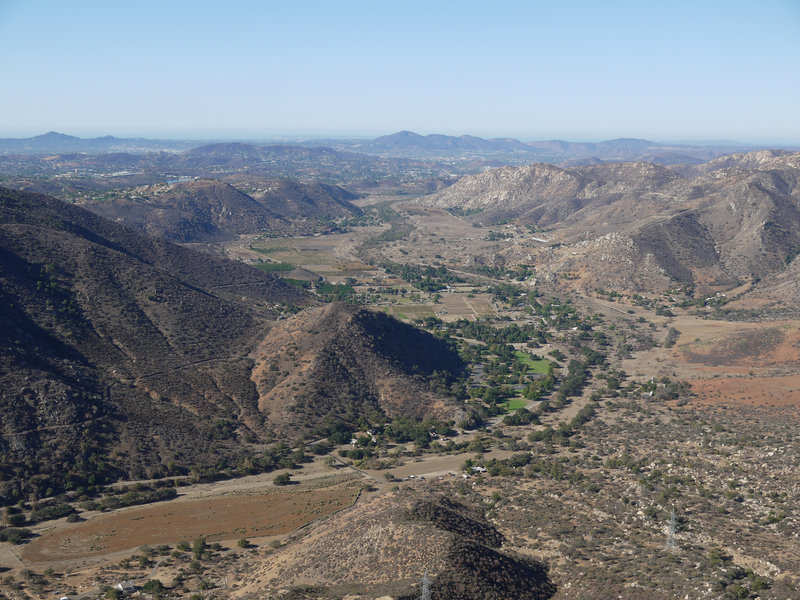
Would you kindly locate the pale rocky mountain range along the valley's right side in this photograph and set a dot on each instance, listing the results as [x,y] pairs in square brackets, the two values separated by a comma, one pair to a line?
[643,227]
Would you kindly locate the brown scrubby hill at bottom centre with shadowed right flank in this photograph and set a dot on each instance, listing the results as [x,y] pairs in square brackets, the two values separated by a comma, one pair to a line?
[384,546]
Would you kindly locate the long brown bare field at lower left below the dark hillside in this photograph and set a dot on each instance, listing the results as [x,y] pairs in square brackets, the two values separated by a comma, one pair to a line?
[273,512]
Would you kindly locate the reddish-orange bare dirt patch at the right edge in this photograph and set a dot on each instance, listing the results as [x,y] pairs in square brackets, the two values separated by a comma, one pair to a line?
[750,391]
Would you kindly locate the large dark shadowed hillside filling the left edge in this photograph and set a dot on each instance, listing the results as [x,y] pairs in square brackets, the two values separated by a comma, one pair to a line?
[113,339]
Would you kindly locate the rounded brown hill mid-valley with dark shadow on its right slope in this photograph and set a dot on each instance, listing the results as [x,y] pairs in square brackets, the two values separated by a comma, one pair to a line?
[340,360]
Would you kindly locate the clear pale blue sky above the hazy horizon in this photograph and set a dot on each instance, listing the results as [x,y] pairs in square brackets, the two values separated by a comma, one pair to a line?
[569,69]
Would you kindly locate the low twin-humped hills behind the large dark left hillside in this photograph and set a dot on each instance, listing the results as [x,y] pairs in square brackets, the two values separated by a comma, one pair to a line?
[205,210]
